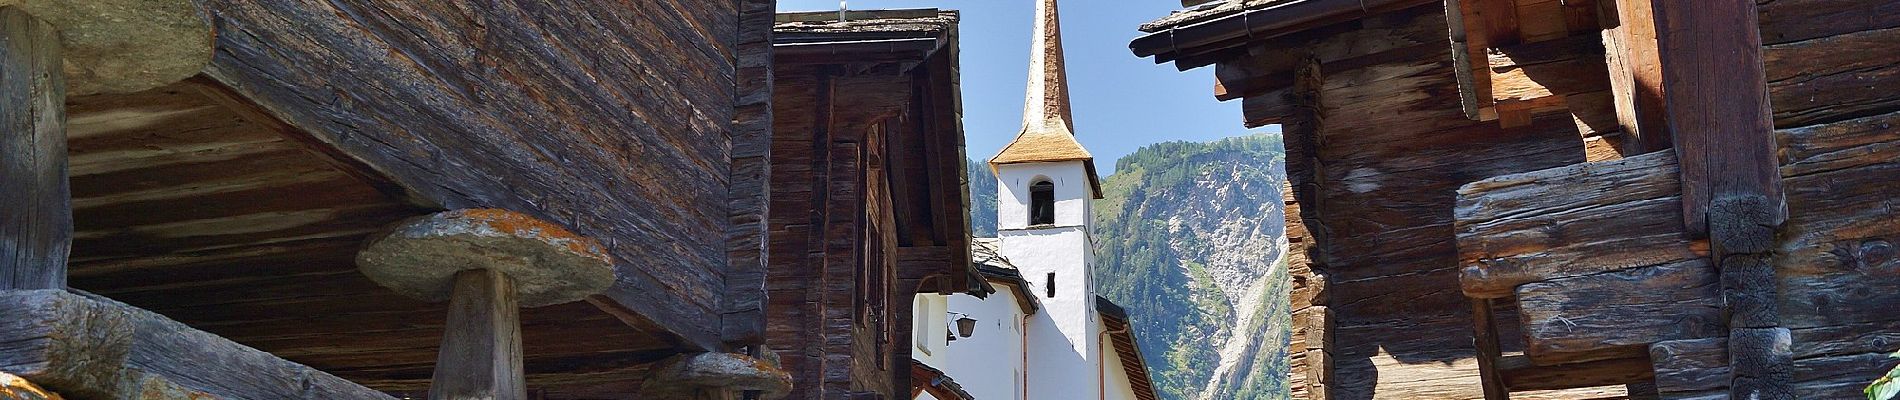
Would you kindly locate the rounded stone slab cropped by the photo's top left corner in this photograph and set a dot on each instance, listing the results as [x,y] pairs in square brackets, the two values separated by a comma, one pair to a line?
[124,46]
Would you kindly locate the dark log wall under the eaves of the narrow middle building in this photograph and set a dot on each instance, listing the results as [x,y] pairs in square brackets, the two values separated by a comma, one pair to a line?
[833,240]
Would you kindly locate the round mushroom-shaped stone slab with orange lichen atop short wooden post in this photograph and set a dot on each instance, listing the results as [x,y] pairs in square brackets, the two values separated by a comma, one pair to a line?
[421,257]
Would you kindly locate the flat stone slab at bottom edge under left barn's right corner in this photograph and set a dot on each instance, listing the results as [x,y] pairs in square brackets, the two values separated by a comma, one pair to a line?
[681,378]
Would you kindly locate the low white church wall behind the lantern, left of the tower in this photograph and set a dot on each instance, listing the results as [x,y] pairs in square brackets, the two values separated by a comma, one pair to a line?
[991,361]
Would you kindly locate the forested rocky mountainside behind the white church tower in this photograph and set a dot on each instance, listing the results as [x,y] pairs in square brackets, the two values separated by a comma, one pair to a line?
[1188,240]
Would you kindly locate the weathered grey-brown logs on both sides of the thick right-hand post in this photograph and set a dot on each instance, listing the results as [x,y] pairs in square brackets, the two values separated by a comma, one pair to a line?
[1603,268]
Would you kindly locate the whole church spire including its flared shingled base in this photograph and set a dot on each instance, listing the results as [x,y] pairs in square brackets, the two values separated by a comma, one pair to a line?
[1048,124]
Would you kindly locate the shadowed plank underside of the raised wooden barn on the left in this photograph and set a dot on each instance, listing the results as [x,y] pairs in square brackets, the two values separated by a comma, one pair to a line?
[193,204]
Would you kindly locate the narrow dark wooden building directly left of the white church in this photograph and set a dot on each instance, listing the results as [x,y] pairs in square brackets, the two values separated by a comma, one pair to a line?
[867,155]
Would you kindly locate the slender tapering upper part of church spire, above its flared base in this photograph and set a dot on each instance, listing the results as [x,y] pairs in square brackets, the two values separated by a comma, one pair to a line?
[1048,107]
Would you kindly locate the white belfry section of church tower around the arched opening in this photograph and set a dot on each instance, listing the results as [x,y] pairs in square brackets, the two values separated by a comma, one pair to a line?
[1014,192]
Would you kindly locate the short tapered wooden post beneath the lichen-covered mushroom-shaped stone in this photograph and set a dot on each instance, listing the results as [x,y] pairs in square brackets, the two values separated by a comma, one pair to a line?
[482,342]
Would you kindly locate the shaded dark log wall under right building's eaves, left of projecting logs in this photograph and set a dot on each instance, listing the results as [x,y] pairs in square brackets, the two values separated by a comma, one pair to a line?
[1377,177]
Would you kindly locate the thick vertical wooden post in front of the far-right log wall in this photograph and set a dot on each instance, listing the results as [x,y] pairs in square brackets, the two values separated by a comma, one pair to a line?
[1722,124]
